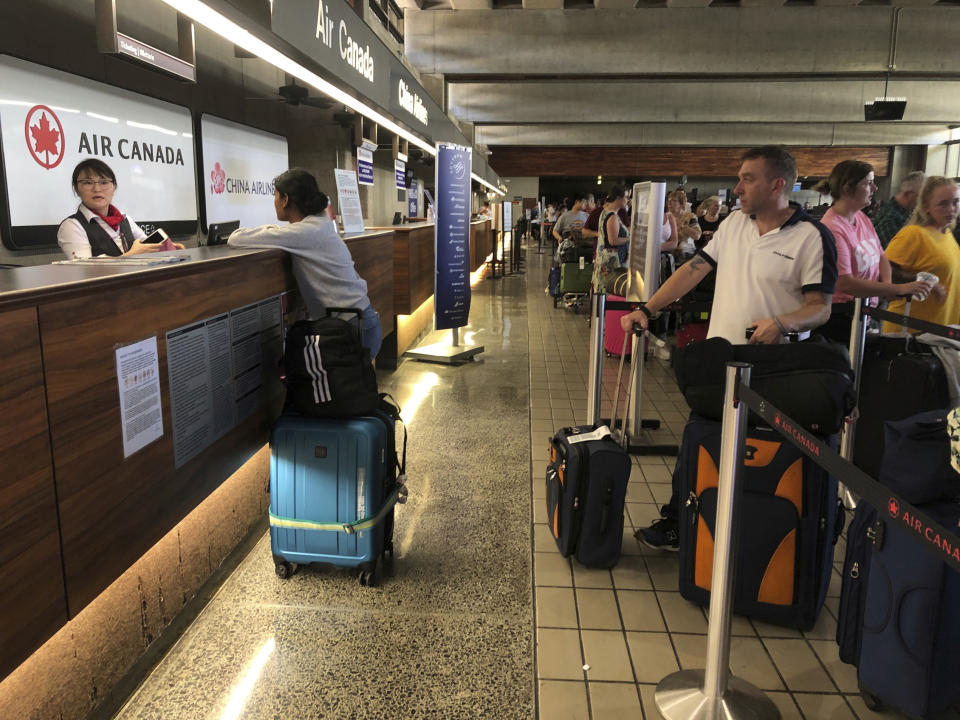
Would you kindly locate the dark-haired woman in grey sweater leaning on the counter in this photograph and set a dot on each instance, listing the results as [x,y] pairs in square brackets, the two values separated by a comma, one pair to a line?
[322,264]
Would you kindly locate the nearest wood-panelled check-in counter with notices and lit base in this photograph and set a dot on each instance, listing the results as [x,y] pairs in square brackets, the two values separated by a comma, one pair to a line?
[130,395]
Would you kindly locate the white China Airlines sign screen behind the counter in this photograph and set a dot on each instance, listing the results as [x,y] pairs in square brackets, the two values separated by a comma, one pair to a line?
[239,164]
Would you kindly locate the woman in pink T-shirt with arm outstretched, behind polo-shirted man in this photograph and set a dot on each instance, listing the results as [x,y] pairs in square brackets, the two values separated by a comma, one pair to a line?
[862,269]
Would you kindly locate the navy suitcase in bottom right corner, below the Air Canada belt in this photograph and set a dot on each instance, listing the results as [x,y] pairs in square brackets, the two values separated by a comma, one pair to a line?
[910,647]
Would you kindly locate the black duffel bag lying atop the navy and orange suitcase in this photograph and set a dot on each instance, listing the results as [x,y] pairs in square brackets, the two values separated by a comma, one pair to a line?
[809,381]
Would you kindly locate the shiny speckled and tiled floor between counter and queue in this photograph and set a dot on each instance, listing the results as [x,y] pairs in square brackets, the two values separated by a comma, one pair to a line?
[479,616]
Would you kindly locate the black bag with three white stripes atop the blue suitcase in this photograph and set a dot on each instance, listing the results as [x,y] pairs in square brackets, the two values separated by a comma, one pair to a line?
[328,370]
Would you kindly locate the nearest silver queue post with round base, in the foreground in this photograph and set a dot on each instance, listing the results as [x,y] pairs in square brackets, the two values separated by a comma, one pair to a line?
[714,693]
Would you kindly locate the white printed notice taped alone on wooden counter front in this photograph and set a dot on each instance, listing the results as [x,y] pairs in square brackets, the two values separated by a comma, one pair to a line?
[138,375]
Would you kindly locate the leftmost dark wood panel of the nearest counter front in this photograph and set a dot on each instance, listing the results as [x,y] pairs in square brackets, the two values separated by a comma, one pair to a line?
[32,603]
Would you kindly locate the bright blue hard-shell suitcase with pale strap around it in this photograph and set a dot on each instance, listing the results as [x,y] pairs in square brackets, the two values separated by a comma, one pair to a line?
[333,487]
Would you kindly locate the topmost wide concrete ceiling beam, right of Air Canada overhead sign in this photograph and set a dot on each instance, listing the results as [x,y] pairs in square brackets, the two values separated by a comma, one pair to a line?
[802,40]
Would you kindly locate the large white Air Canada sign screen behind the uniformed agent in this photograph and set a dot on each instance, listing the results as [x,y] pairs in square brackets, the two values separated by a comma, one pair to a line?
[50,120]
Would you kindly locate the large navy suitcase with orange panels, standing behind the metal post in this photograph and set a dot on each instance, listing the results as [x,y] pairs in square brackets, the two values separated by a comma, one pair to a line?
[788,525]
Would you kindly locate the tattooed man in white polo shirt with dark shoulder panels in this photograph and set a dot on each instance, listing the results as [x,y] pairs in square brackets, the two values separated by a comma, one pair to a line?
[776,271]
